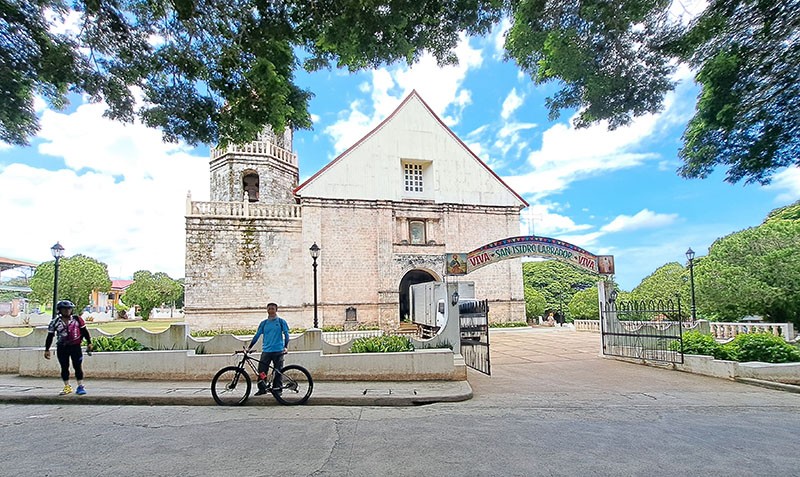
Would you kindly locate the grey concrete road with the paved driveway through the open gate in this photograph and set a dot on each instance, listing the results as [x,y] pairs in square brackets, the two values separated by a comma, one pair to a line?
[552,407]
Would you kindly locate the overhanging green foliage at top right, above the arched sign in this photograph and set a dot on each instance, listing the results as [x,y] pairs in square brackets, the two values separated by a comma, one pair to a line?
[614,60]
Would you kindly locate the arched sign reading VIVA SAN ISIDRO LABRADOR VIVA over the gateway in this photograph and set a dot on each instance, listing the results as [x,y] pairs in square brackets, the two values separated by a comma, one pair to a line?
[532,246]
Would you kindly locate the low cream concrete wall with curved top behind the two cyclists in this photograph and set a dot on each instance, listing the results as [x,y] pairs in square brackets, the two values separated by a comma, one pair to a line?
[178,356]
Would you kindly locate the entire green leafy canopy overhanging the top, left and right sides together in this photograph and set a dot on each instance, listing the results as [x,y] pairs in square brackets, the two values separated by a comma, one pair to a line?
[214,72]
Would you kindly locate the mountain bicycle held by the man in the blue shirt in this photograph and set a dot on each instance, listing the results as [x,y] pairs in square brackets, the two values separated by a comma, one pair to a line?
[231,385]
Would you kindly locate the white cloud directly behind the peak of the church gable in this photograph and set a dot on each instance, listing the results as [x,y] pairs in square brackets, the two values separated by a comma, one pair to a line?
[440,87]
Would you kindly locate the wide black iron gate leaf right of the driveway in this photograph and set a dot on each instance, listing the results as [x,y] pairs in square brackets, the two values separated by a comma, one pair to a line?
[651,329]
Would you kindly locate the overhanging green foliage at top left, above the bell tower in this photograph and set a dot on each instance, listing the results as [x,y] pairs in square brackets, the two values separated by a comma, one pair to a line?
[210,71]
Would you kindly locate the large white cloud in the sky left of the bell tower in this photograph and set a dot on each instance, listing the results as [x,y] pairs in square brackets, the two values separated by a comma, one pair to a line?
[120,199]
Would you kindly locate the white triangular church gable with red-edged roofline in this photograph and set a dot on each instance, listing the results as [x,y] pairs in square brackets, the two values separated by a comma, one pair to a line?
[372,168]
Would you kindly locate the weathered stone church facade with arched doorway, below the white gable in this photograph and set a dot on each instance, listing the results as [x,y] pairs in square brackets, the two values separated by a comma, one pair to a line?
[366,252]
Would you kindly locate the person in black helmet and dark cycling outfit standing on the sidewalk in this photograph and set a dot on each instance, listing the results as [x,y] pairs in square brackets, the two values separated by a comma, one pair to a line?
[70,330]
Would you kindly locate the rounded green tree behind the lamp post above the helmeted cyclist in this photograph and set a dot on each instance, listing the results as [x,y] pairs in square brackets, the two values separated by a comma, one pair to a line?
[78,276]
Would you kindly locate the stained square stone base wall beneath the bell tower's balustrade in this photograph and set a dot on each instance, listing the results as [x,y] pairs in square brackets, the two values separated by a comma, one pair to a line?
[235,266]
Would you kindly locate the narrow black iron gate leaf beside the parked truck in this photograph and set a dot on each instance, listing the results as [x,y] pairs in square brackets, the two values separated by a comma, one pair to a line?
[473,317]
